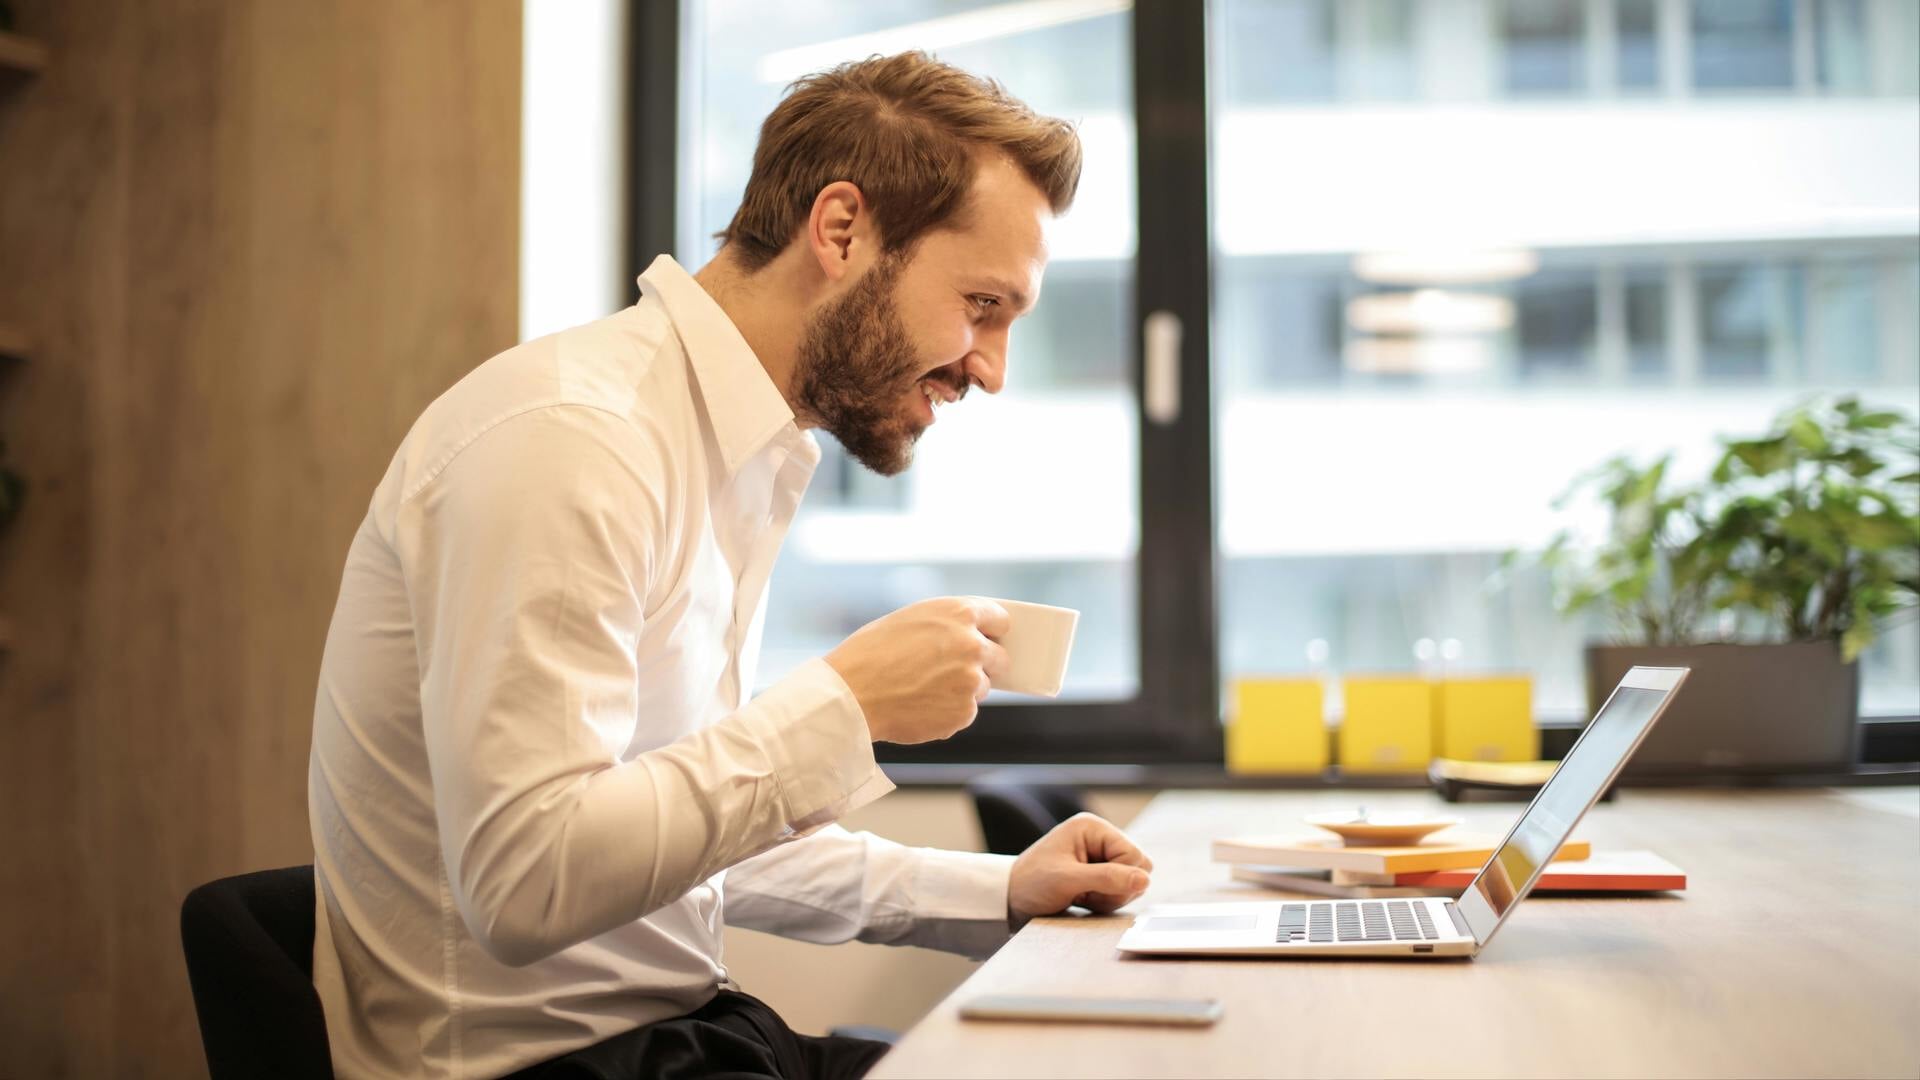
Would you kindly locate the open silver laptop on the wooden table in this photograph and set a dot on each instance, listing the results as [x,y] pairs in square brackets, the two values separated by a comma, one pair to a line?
[1428,927]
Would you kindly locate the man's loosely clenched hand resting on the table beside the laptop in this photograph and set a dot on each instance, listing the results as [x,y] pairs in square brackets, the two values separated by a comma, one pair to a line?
[1084,862]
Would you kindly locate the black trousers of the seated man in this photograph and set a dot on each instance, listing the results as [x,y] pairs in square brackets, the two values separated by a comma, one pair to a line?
[734,1037]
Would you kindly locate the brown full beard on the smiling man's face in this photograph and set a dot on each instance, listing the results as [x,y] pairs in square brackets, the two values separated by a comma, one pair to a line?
[855,368]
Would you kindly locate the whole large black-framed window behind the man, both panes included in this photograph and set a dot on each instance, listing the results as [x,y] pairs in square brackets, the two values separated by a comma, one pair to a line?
[1431,260]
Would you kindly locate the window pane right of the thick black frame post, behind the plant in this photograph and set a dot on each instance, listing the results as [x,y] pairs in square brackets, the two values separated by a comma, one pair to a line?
[1431,316]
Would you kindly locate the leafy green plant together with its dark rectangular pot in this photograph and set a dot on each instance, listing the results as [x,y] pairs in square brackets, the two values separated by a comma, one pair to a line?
[1767,579]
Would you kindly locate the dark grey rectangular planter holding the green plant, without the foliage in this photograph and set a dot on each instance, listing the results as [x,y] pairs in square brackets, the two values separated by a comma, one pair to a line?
[1744,708]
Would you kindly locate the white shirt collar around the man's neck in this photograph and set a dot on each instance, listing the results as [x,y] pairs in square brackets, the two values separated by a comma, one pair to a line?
[746,408]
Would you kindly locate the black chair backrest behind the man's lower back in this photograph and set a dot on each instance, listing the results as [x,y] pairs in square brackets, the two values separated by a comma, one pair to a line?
[251,960]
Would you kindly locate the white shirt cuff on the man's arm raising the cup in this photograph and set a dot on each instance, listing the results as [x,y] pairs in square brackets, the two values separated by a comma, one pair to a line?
[815,733]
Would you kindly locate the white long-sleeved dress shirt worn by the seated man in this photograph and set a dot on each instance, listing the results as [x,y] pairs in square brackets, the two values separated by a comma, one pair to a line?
[539,787]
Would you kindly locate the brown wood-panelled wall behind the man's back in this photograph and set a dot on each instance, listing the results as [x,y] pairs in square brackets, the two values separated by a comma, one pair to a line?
[254,241]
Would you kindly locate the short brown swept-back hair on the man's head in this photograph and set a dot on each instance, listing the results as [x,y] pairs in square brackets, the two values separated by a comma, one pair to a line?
[905,130]
